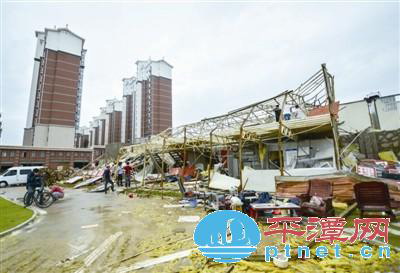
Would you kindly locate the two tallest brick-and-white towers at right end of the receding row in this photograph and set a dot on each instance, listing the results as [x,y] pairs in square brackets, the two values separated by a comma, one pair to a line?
[147,101]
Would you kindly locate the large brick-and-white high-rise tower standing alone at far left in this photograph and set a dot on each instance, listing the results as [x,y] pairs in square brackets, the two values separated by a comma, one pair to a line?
[56,89]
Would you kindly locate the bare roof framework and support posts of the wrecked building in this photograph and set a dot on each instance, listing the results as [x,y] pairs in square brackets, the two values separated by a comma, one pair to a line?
[261,122]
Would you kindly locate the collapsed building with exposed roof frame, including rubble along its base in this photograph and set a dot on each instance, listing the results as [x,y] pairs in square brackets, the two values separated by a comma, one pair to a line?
[276,145]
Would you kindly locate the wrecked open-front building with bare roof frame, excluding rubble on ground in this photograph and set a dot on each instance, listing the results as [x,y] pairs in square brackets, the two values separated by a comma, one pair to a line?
[293,133]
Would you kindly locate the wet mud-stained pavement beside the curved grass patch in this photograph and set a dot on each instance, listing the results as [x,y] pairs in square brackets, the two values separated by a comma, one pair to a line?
[83,223]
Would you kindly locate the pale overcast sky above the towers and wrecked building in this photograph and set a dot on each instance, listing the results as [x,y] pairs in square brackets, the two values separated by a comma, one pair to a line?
[225,55]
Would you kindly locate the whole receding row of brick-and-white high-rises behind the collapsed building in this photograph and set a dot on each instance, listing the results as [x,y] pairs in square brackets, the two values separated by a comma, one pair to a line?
[145,108]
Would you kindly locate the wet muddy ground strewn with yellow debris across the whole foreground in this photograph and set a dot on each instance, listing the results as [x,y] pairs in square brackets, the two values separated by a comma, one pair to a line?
[94,232]
